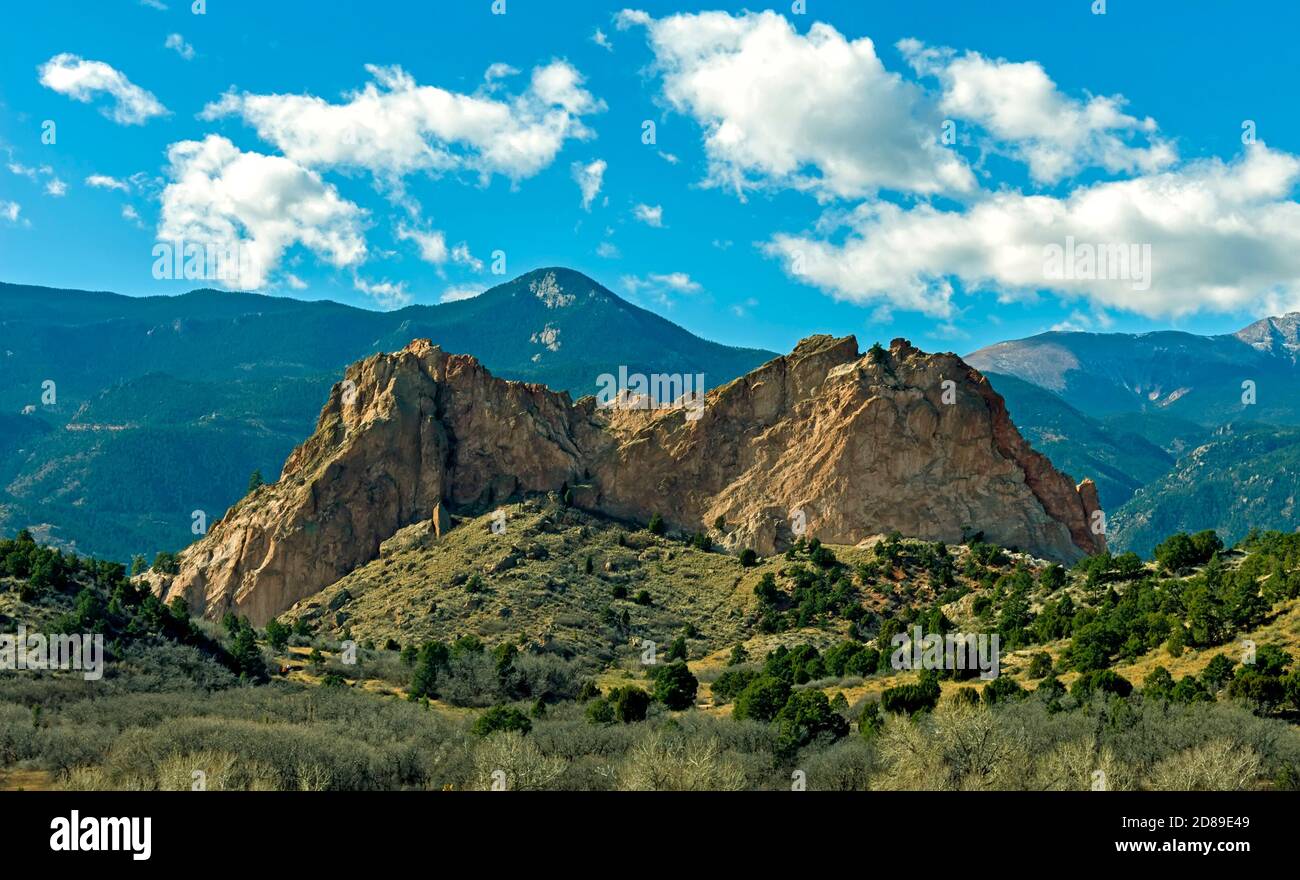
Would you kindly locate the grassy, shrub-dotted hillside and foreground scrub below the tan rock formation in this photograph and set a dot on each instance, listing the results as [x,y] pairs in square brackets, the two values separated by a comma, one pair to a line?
[762,674]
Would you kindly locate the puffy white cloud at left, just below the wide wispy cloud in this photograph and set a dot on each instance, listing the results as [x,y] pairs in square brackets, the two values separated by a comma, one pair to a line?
[266,205]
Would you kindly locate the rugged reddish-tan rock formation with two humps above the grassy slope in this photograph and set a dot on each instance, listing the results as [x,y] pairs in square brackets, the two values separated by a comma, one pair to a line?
[824,443]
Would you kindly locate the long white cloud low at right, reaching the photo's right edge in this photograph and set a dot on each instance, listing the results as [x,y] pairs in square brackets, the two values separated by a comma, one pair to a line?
[1224,237]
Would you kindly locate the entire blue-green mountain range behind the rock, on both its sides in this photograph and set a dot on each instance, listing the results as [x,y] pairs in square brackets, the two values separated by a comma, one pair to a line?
[123,418]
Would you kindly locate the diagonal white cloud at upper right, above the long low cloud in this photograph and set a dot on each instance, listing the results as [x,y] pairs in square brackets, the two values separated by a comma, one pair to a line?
[1021,107]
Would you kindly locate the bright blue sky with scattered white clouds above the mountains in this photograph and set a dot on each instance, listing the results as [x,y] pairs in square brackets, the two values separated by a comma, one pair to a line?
[800,181]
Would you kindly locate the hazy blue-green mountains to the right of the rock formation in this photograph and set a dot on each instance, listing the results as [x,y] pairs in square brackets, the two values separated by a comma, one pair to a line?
[1181,432]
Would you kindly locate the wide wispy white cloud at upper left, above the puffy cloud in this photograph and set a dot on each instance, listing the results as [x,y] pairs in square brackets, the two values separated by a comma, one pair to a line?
[395,127]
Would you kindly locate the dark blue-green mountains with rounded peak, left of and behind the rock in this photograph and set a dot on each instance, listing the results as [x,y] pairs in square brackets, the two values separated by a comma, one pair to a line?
[142,411]
